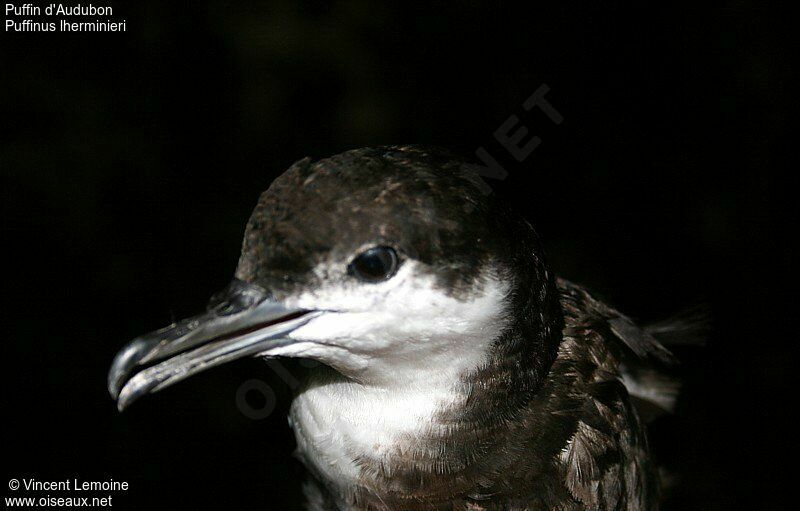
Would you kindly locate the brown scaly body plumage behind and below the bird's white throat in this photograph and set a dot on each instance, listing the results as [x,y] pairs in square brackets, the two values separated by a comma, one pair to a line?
[576,443]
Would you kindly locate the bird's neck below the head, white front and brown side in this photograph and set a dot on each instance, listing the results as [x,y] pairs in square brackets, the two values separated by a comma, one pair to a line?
[369,441]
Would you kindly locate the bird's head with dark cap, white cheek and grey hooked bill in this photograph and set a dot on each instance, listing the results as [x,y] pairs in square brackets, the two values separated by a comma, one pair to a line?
[390,265]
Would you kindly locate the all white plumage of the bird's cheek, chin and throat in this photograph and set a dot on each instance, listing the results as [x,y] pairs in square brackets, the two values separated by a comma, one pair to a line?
[401,350]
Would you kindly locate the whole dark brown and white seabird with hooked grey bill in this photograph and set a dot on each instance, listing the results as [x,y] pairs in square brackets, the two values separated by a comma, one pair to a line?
[457,371]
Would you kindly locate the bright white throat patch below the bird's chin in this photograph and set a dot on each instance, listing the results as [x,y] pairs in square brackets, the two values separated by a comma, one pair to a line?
[351,435]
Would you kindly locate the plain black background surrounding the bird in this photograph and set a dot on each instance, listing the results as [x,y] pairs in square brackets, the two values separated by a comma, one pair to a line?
[130,163]
